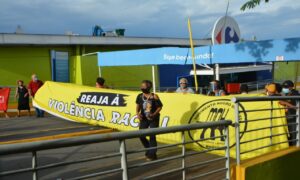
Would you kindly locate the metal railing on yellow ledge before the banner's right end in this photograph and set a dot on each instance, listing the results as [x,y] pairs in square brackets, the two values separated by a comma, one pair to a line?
[293,127]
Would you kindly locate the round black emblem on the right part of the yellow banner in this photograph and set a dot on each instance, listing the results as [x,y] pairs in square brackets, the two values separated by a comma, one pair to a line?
[212,111]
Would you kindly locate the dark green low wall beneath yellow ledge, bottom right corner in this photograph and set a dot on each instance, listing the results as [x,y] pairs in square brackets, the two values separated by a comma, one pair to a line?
[284,167]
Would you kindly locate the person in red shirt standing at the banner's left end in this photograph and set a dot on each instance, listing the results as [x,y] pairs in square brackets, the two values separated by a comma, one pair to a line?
[34,85]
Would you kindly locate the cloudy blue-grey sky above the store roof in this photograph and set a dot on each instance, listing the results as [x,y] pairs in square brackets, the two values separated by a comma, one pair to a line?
[150,18]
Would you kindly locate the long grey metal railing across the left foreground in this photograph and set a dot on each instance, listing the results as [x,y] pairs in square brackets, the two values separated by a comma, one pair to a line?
[34,147]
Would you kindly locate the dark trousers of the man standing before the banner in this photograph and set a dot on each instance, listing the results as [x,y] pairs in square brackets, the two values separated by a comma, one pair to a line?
[144,124]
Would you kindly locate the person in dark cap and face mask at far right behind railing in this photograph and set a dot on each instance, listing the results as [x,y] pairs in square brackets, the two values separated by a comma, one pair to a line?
[288,90]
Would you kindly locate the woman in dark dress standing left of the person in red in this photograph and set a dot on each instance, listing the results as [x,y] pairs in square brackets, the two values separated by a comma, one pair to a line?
[23,97]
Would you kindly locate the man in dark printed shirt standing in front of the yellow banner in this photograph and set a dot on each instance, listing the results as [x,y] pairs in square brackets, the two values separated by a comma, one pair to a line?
[148,106]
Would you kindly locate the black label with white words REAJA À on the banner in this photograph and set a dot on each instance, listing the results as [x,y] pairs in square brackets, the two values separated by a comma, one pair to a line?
[102,99]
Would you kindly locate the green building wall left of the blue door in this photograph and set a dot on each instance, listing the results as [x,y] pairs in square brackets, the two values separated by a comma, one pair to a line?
[19,62]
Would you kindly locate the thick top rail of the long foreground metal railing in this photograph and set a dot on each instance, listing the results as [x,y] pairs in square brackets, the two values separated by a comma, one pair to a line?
[73,141]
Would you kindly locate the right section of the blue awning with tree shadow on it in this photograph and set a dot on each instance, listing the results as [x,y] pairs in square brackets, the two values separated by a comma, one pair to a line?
[259,51]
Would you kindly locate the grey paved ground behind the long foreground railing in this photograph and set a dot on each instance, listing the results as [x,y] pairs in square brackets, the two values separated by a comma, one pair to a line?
[19,128]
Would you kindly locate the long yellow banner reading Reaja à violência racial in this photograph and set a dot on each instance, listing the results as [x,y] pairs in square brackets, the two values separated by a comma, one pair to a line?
[116,109]
